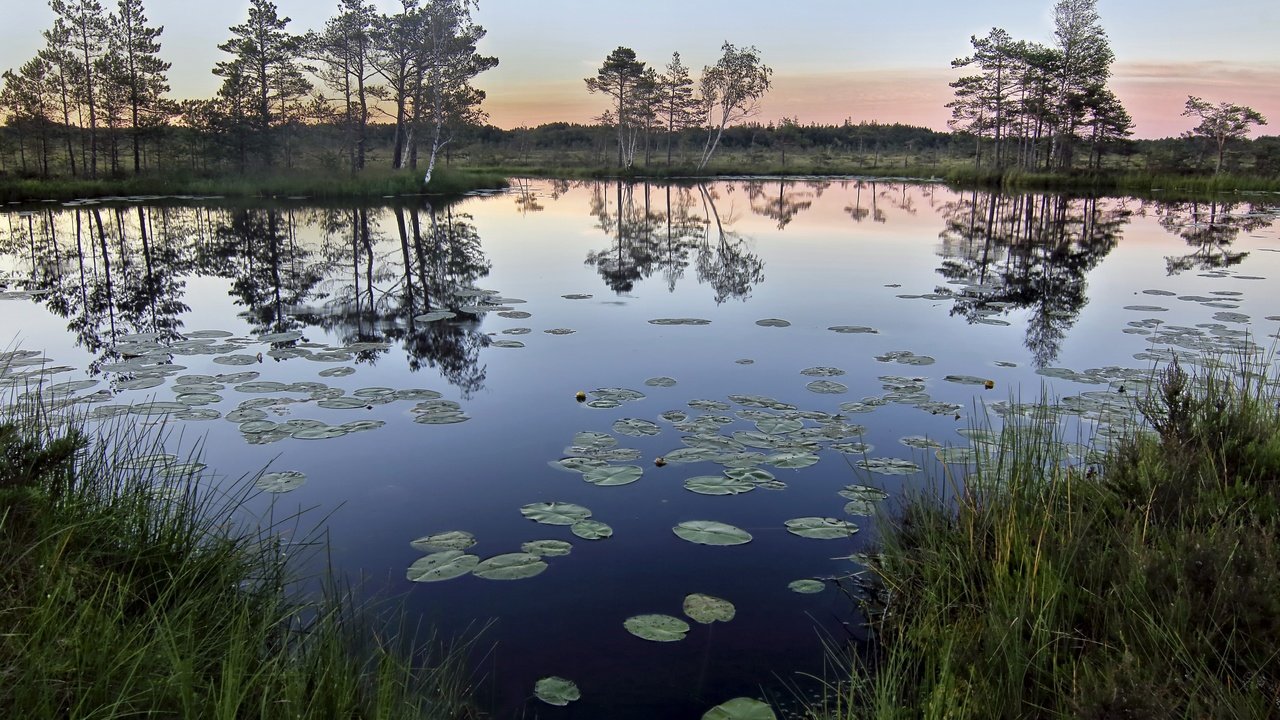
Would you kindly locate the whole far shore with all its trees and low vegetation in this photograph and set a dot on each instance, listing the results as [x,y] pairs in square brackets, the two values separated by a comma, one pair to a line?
[394,92]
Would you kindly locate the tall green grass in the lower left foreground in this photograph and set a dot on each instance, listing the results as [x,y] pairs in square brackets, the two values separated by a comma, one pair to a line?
[132,595]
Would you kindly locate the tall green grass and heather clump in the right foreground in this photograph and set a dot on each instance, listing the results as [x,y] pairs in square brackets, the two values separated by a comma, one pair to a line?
[1140,587]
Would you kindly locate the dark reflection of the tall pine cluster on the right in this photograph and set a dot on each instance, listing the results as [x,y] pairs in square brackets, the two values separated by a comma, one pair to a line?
[1026,252]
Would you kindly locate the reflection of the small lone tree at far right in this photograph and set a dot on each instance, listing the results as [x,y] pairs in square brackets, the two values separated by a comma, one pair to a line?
[1210,229]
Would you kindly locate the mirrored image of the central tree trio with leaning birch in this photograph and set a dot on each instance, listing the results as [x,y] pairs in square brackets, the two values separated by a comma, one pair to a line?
[647,236]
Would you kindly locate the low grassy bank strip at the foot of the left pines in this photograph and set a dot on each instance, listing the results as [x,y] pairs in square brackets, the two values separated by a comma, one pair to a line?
[310,185]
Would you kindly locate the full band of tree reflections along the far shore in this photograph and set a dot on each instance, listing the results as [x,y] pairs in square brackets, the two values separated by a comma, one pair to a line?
[365,275]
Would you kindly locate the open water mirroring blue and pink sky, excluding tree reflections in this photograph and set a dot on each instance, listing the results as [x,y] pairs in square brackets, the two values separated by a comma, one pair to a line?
[404,481]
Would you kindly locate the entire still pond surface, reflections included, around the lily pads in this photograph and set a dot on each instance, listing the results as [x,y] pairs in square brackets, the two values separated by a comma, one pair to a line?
[991,288]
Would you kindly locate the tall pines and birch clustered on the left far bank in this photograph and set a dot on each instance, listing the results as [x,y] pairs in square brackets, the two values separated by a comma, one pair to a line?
[95,102]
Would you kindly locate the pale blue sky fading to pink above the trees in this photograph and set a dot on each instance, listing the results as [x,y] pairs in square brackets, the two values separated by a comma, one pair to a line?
[833,60]
